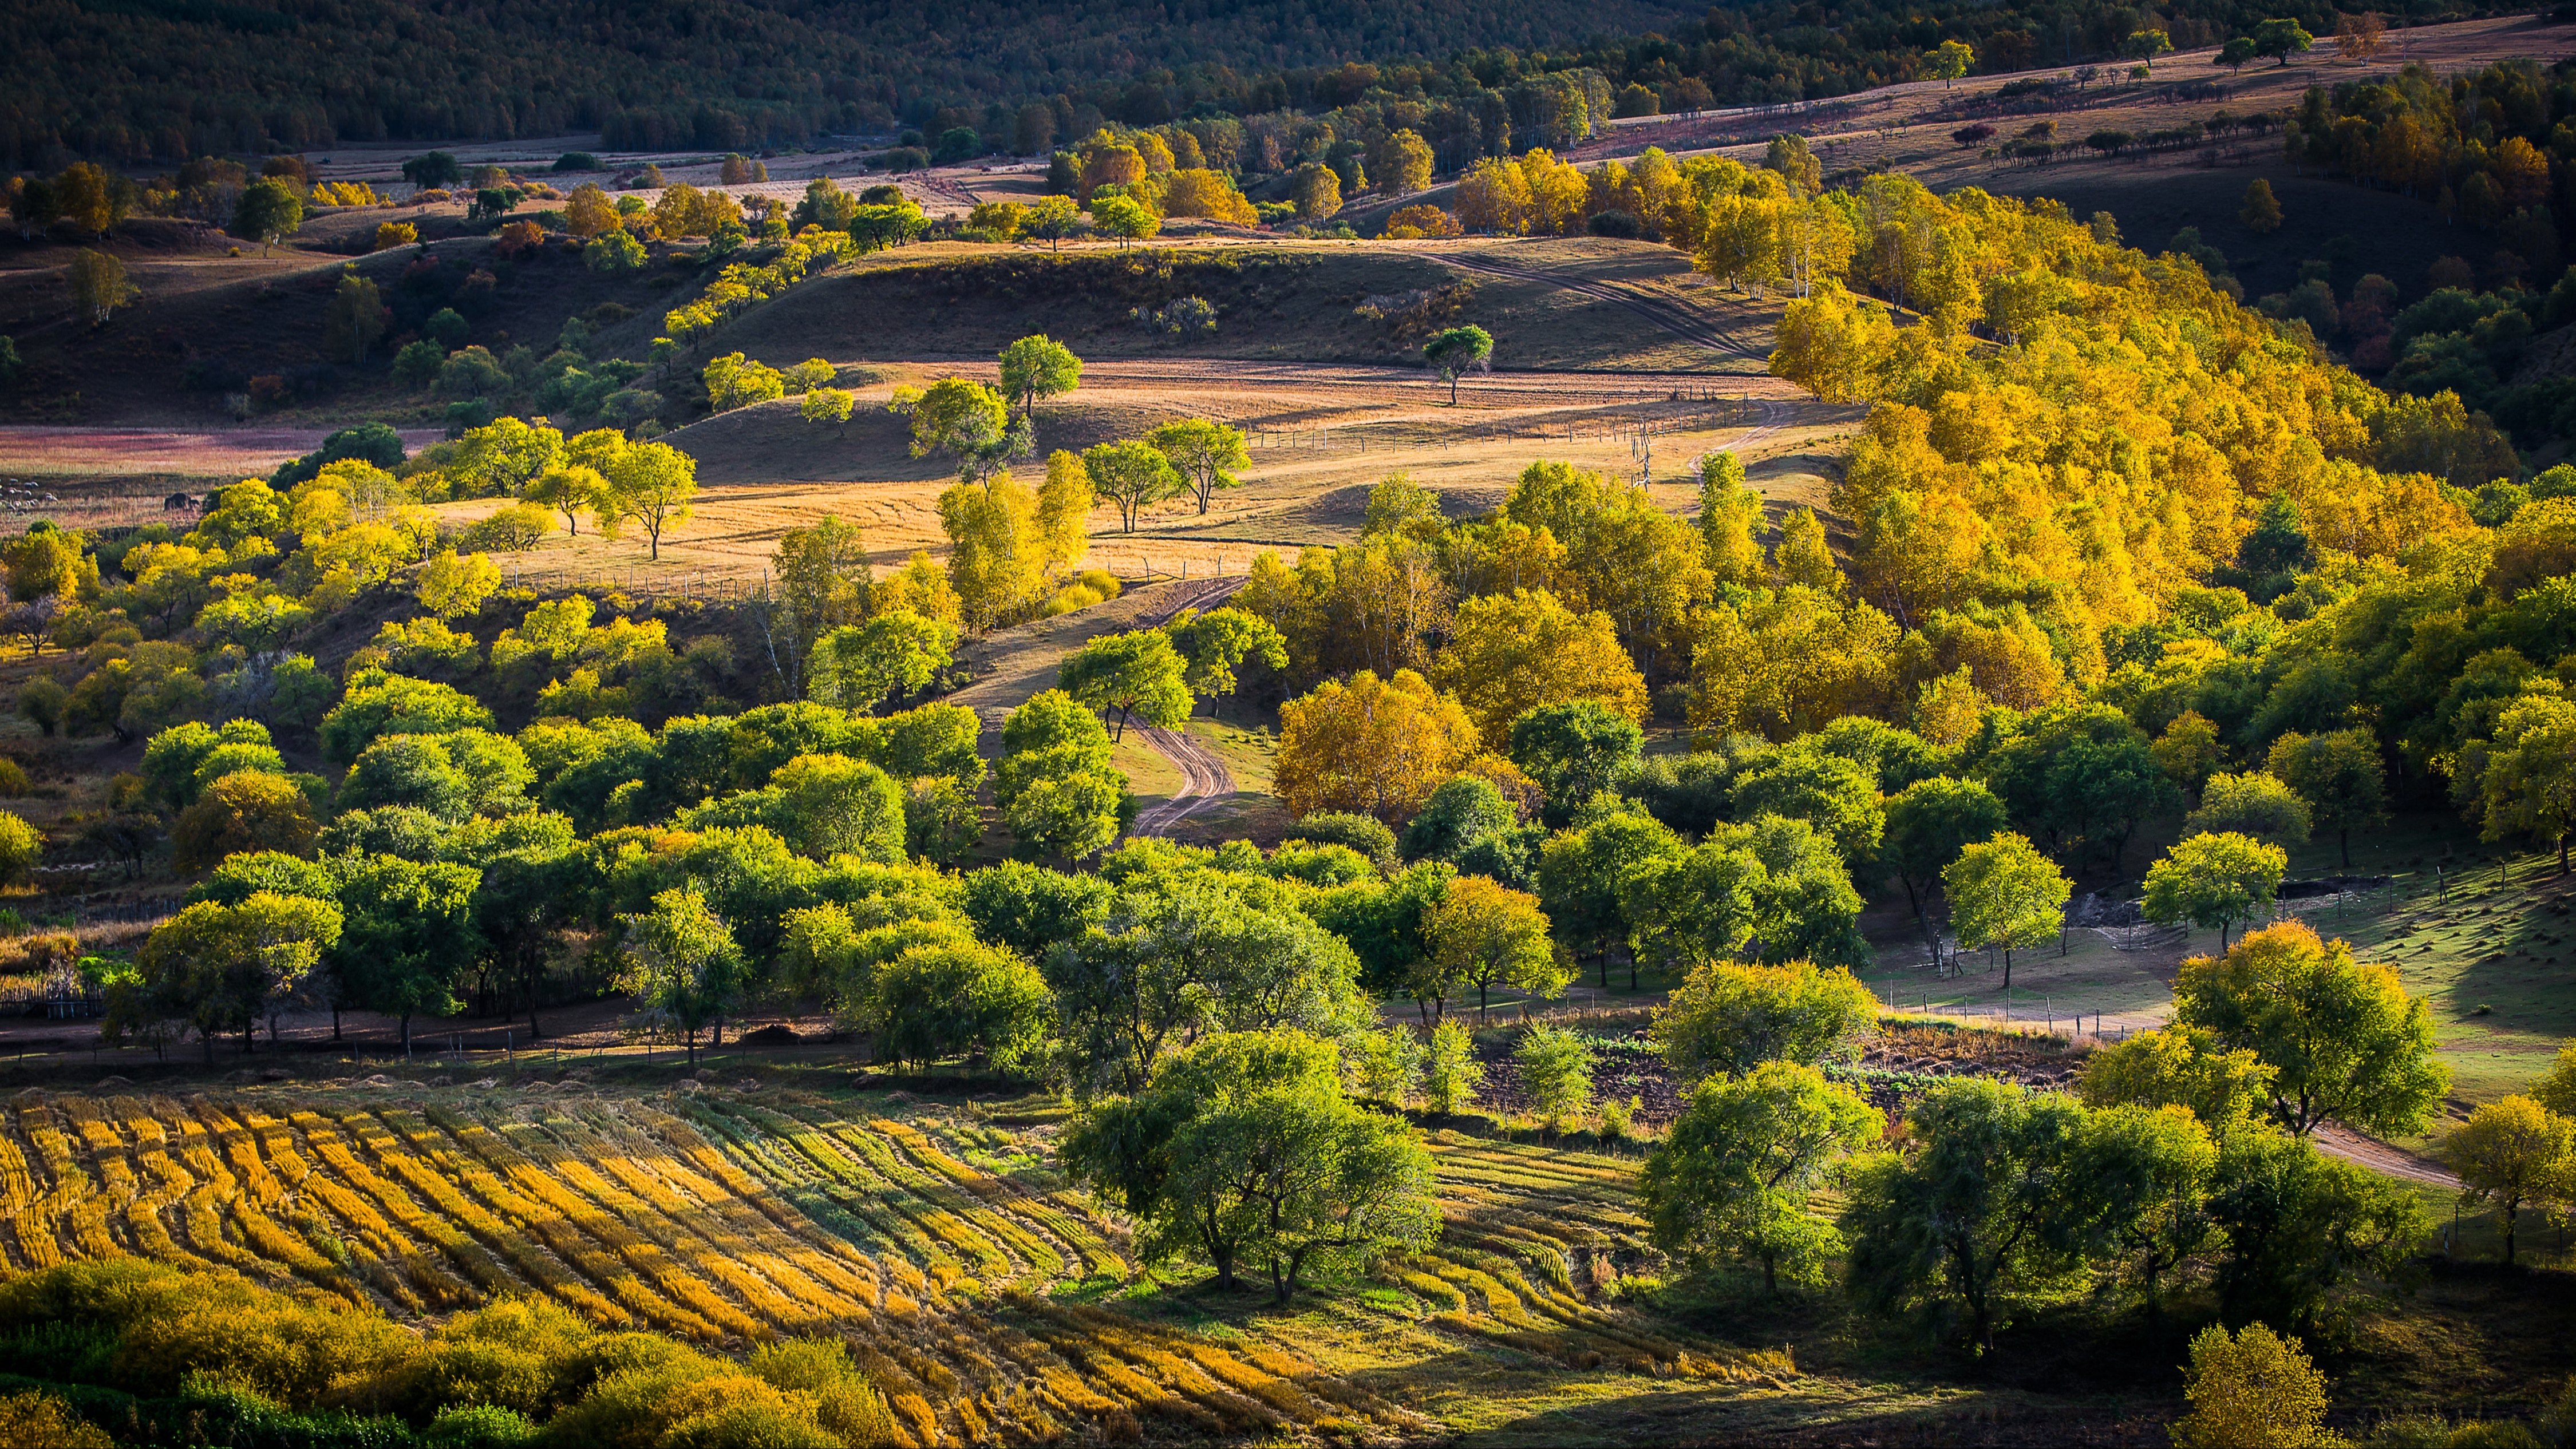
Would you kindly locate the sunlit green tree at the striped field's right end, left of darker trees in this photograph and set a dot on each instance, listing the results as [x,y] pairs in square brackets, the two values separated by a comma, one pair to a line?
[1745,1159]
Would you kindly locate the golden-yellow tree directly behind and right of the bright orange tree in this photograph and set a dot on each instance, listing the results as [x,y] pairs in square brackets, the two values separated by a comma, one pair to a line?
[1519,652]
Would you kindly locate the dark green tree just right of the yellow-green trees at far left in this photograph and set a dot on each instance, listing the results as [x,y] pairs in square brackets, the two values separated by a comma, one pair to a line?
[408,936]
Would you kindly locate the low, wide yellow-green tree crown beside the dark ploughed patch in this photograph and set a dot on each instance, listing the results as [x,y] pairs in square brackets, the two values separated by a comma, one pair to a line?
[1730,1018]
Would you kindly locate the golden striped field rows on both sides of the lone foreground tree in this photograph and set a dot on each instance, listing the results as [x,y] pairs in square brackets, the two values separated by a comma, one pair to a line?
[748,1216]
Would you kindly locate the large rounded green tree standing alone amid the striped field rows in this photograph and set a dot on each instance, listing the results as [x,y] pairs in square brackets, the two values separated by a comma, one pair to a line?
[1248,1152]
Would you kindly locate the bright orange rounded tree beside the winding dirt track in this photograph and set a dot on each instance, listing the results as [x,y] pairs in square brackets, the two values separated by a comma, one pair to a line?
[1372,745]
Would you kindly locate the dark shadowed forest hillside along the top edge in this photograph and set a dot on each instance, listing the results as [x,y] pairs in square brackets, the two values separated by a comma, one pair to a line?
[140,81]
